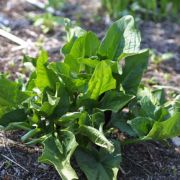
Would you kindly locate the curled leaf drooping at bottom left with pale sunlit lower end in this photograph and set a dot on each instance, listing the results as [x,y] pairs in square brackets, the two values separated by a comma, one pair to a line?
[61,161]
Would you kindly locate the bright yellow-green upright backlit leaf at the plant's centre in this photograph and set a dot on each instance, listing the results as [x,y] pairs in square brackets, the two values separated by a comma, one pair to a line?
[101,81]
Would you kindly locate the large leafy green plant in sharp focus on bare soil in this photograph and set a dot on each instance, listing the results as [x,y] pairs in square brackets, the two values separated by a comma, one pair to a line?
[75,107]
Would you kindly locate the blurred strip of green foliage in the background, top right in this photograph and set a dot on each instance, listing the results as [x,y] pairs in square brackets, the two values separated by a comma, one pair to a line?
[154,9]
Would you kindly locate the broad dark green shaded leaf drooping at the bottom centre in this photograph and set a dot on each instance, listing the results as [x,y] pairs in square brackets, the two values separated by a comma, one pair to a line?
[99,165]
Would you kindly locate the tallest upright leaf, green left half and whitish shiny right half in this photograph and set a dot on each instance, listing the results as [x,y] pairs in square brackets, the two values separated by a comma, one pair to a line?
[122,37]
